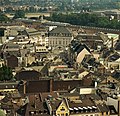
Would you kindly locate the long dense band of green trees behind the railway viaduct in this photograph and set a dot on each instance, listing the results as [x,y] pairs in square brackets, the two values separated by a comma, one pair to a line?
[85,19]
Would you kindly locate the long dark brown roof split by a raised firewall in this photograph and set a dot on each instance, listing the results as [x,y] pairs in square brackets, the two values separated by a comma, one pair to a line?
[51,85]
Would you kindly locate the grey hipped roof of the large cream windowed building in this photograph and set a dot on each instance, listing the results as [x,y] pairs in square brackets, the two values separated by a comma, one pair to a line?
[62,30]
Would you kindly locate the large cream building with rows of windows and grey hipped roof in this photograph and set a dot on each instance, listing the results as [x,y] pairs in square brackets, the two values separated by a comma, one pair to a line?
[59,37]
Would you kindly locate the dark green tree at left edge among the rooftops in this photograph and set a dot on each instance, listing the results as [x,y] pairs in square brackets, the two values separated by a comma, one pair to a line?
[5,73]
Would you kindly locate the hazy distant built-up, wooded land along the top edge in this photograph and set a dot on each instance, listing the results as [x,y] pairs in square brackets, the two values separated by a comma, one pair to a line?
[65,5]
